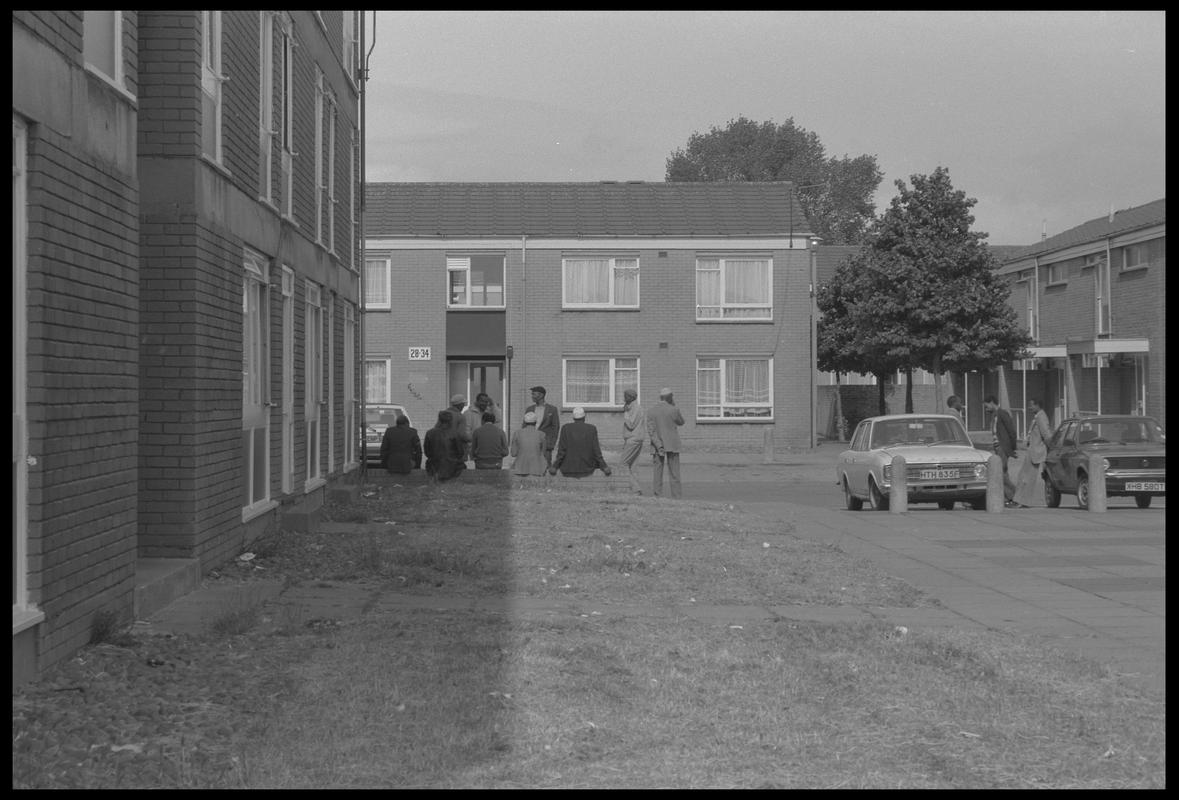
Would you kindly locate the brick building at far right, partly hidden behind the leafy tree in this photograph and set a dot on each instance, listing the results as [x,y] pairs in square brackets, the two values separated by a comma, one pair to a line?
[1095,301]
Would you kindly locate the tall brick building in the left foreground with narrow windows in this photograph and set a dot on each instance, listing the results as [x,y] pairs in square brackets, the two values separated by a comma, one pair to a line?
[186,292]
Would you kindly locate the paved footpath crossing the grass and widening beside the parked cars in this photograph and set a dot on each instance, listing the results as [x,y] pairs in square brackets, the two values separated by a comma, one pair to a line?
[1091,583]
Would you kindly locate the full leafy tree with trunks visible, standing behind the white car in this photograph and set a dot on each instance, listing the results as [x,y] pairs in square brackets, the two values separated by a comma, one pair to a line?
[924,293]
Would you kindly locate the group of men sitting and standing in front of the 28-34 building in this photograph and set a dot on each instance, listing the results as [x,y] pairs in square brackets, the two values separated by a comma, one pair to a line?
[477,435]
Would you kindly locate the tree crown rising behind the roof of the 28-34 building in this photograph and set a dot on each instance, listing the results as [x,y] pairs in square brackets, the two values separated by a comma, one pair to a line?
[837,194]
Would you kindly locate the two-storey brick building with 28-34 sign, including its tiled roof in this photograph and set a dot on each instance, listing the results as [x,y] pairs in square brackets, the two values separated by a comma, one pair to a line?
[589,289]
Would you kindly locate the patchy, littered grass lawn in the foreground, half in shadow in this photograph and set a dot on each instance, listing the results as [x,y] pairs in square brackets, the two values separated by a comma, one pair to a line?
[649,698]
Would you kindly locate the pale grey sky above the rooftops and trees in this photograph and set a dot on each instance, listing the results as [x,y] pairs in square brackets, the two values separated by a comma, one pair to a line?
[1049,120]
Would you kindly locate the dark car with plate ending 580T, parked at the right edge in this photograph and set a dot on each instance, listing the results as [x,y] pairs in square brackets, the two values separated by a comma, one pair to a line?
[1134,453]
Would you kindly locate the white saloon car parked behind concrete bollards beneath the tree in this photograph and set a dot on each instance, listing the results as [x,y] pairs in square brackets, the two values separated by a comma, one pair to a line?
[943,466]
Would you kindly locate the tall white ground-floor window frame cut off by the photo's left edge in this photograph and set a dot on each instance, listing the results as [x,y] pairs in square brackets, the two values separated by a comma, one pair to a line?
[25,613]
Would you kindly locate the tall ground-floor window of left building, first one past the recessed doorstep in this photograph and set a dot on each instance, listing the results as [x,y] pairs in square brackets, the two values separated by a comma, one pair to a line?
[255,381]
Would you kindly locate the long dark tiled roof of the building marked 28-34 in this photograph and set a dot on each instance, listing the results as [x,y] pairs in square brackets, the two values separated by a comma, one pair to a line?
[583,209]
